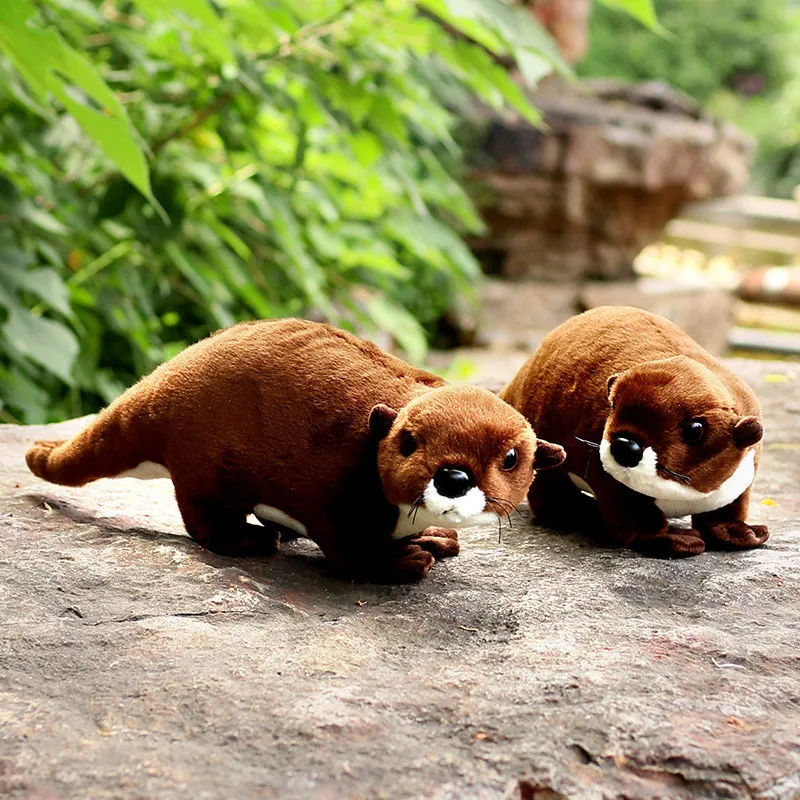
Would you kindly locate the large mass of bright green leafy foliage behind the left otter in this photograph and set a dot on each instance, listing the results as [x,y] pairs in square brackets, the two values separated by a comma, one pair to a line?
[168,167]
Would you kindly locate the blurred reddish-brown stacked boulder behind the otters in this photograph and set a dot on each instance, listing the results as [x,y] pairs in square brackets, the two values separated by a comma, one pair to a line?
[583,197]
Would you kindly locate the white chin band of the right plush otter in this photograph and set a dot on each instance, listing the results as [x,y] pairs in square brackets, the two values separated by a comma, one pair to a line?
[673,498]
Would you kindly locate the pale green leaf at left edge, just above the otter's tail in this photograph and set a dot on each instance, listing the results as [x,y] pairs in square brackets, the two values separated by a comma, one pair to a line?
[45,341]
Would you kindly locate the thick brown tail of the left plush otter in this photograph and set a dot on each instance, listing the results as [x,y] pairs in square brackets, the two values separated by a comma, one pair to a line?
[117,440]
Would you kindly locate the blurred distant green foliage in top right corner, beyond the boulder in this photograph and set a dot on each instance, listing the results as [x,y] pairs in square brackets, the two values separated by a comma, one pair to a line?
[739,59]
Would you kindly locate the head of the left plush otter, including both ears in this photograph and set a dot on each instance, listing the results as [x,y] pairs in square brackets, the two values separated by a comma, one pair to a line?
[456,455]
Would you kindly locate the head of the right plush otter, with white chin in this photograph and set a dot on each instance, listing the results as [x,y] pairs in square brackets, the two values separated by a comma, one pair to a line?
[673,431]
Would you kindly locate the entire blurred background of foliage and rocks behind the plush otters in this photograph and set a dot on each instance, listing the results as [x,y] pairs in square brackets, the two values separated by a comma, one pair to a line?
[451,178]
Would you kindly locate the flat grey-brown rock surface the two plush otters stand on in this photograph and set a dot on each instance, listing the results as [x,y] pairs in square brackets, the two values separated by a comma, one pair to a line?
[135,665]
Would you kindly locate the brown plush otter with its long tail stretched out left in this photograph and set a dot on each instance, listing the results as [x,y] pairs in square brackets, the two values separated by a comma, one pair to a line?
[315,431]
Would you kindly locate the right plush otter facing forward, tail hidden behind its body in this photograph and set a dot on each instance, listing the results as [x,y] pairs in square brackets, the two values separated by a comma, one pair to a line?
[654,427]
